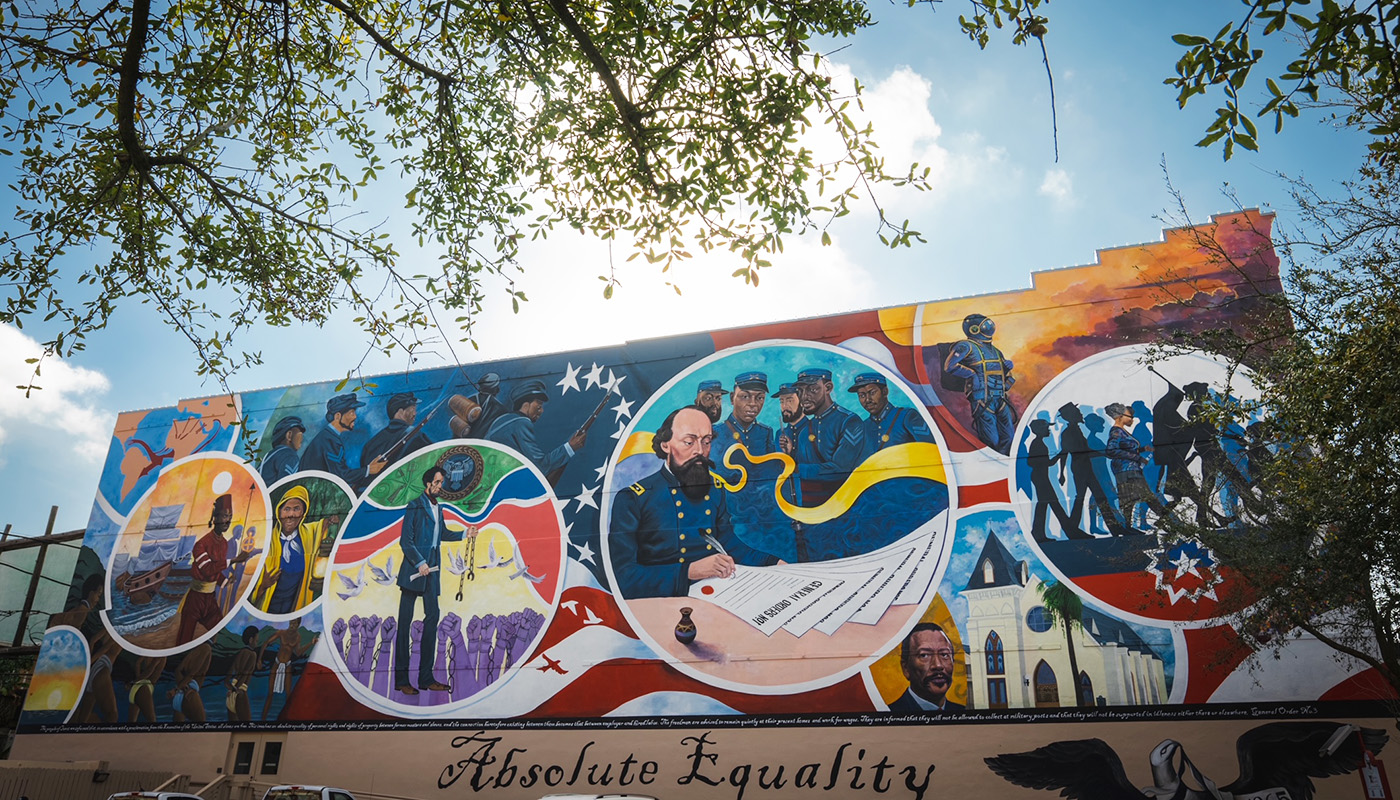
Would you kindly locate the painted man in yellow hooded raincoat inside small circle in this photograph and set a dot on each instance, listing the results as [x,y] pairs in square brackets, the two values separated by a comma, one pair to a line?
[286,581]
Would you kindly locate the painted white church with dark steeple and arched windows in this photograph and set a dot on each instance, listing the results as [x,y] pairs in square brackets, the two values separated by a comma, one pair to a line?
[1017,654]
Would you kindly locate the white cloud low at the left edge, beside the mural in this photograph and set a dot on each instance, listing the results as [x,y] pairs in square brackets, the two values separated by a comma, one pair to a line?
[65,404]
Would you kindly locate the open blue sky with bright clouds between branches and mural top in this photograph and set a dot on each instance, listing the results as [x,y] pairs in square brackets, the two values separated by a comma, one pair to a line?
[1000,209]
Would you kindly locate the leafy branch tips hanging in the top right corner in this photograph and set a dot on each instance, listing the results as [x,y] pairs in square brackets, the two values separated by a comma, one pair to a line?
[1345,47]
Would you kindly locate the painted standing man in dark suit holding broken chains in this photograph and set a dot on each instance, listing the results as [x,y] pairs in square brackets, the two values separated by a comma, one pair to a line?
[421,537]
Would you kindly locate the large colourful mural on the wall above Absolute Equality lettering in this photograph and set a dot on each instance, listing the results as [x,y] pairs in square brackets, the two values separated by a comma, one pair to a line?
[864,515]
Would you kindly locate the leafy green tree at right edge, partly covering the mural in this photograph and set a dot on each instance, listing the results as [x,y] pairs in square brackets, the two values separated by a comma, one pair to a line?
[1317,527]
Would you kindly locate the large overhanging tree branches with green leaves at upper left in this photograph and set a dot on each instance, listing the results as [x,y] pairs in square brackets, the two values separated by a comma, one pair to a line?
[216,159]
